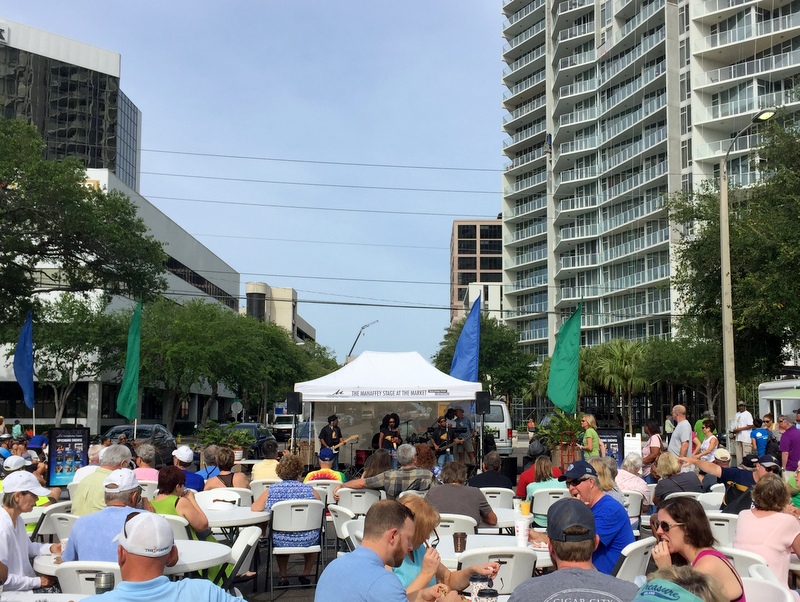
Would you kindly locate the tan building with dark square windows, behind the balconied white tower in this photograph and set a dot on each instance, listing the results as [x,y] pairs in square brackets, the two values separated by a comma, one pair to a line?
[476,255]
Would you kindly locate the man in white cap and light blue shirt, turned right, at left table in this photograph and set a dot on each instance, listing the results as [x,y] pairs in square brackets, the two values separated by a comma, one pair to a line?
[92,535]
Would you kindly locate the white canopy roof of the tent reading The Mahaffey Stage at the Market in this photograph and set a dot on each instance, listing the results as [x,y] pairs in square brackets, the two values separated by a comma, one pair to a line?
[390,377]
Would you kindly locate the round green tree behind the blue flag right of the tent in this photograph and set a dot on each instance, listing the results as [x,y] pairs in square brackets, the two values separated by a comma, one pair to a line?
[503,367]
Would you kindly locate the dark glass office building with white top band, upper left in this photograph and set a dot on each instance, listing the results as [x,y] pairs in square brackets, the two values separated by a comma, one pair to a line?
[70,92]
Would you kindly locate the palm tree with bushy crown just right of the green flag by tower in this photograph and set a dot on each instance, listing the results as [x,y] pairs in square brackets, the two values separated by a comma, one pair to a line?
[619,365]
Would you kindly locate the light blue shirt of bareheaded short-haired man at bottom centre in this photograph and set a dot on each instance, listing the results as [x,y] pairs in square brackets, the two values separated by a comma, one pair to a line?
[365,577]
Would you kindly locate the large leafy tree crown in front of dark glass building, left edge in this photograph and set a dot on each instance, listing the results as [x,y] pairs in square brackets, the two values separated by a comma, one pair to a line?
[48,216]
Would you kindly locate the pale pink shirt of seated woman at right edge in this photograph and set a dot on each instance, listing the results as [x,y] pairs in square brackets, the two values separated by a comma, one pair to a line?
[771,536]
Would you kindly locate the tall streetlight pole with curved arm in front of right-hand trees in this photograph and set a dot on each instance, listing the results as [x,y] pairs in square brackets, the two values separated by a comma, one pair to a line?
[728,362]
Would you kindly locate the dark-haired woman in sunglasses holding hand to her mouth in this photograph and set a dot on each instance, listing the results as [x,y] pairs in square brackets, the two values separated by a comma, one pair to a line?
[684,533]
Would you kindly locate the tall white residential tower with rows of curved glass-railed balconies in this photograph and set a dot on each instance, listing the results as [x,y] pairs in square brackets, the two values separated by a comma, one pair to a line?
[612,105]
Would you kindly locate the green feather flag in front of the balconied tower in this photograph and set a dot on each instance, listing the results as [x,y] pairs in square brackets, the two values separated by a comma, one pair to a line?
[562,385]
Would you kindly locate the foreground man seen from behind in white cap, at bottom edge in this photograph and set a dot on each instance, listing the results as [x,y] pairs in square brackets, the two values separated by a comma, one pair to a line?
[145,548]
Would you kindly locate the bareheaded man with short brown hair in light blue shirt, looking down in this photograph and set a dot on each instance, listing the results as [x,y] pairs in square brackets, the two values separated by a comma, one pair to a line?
[388,535]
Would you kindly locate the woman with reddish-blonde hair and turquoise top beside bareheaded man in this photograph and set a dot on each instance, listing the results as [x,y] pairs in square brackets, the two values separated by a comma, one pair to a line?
[422,567]
